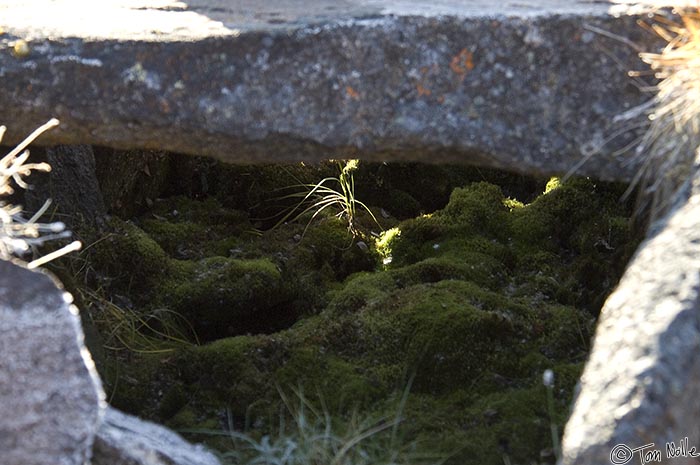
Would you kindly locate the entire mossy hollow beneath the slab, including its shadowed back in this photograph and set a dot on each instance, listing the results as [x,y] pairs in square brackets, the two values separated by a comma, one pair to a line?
[467,304]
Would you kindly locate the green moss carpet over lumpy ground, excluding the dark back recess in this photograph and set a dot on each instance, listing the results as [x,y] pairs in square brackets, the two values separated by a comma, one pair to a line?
[480,298]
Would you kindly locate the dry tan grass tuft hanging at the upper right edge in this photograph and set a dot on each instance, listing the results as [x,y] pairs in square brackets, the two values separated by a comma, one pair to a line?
[668,149]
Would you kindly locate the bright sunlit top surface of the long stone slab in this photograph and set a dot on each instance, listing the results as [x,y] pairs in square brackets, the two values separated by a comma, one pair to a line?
[168,20]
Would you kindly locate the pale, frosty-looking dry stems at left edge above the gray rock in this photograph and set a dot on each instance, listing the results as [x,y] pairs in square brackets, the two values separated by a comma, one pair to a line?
[19,236]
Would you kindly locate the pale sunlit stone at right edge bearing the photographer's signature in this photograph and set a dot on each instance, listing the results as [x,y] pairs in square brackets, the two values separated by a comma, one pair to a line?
[642,382]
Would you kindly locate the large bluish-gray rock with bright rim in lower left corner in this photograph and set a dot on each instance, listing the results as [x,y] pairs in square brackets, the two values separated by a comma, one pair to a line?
[50,396]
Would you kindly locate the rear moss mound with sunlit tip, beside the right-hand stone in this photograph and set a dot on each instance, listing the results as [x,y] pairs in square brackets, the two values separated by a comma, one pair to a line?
[572,242]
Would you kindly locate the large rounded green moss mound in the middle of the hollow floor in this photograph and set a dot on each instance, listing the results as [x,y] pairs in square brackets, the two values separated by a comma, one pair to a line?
[442,331]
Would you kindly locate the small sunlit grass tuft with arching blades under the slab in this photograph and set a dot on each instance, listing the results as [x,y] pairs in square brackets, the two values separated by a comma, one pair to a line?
[337,193]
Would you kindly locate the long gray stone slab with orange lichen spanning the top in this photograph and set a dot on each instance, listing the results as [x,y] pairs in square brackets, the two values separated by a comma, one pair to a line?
[529,86]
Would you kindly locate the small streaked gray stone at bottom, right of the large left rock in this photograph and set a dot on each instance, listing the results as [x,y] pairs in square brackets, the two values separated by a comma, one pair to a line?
[126,440]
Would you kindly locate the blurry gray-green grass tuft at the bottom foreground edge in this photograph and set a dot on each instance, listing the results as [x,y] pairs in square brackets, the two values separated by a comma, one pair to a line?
[315,437]
